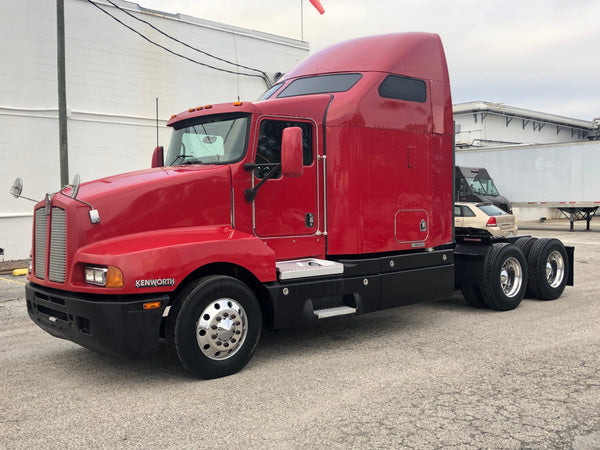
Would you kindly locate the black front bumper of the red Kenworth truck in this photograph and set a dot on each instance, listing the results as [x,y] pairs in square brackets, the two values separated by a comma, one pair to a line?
[112,325]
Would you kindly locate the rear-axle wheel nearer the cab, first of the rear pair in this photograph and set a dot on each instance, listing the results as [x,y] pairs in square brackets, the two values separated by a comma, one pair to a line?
[504,277]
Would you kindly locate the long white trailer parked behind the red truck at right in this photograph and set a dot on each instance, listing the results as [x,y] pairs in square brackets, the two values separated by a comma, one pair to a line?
[563,177]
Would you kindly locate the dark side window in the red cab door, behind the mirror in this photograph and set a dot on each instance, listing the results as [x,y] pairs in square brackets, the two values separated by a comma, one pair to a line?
[268,150]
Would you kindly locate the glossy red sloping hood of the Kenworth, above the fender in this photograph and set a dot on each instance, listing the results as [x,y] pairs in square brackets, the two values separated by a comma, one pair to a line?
[147,200]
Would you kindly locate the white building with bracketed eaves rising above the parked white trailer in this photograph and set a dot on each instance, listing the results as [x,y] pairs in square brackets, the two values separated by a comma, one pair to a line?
[483,124]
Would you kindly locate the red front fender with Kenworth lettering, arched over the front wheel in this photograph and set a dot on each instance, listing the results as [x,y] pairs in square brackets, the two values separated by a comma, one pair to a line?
[158,261]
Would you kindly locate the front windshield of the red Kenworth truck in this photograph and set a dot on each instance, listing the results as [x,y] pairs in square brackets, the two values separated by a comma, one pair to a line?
[209,140]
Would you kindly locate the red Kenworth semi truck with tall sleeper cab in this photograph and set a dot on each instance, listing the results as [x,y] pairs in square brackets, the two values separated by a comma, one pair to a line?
[331,195]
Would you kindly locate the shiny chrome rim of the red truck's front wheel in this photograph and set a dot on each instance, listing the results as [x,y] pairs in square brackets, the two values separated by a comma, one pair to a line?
[221,329]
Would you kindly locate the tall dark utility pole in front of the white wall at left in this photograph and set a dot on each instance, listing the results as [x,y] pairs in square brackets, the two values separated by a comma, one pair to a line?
[62,94]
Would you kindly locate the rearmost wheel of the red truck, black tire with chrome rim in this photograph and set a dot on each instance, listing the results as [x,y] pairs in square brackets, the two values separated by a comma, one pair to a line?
[548,269]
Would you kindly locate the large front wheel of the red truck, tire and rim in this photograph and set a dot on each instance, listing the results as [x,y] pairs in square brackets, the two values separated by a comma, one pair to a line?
[214,327]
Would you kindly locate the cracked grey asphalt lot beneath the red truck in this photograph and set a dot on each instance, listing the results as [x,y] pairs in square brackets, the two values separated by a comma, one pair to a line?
[435,374]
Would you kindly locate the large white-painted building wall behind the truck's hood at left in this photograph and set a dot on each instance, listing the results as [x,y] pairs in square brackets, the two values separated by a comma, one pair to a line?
[113,79]
